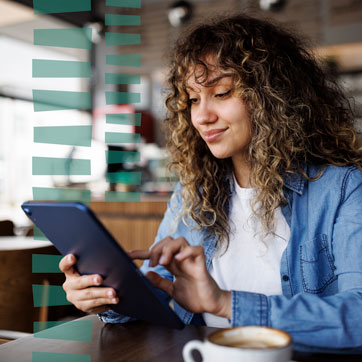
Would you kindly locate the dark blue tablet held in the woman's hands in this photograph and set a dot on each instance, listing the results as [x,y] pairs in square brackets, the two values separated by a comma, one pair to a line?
[73,228]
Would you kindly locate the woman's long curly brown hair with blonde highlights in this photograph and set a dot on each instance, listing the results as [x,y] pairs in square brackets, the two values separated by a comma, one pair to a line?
[298,116]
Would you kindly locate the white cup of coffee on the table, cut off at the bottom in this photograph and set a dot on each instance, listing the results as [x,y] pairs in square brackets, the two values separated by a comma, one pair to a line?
[246,344]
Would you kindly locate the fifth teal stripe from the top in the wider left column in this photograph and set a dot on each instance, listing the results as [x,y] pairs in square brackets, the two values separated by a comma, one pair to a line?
[64,135]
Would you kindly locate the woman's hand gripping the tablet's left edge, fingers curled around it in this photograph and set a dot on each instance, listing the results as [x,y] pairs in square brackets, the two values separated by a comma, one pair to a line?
[83,290]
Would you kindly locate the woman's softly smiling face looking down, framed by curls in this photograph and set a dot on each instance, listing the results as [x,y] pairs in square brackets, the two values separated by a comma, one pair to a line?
[221,118]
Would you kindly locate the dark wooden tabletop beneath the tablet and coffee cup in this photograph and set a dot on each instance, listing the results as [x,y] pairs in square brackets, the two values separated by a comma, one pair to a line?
[132,342]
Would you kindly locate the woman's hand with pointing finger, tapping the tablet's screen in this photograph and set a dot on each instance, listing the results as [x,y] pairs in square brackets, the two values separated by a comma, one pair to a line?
[193,288]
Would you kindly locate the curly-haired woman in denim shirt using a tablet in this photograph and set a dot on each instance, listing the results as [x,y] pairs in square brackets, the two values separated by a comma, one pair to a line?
[265,226]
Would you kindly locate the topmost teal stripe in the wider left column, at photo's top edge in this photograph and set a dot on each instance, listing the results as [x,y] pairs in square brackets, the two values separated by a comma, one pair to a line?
[60,6]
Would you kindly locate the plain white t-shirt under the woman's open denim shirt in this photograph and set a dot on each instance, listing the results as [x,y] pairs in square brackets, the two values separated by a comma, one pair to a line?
[252,261]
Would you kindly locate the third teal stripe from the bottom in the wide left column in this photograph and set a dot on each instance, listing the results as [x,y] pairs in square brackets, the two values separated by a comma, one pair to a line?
[49,295]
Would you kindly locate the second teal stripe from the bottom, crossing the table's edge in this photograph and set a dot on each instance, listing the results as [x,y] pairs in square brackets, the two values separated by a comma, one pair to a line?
[74,330]
